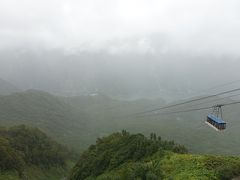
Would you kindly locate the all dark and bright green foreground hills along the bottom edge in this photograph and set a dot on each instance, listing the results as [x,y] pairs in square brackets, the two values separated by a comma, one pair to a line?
[28,153]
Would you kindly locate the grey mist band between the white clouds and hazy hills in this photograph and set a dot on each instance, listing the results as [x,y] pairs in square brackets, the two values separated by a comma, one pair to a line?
[129,76]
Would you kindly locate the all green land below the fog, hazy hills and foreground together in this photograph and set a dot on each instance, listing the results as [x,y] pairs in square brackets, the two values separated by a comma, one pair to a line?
[77,121]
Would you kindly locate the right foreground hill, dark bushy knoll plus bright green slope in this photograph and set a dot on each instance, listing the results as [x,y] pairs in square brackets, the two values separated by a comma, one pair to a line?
[122,156]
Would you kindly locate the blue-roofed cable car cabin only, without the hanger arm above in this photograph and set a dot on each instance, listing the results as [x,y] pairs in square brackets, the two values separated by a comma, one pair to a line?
[216,122]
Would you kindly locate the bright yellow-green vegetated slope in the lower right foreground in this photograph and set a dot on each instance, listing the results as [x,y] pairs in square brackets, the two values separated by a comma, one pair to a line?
[177,166]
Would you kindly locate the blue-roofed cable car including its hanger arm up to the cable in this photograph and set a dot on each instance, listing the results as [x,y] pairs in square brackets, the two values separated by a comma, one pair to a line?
[215,119]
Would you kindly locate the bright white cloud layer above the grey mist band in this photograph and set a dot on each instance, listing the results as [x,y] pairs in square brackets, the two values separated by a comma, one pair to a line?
[143,26]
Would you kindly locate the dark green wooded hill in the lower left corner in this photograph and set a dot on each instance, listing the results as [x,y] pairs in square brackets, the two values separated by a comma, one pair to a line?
[25,150]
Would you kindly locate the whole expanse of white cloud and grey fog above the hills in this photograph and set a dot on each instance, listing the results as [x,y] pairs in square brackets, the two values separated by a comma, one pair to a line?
[125,49]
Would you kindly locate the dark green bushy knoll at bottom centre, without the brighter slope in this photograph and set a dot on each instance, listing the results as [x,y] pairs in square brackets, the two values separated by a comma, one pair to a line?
[119,148]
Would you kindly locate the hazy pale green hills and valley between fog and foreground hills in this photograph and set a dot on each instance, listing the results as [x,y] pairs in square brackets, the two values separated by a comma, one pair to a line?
[78,121]
